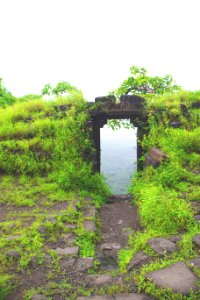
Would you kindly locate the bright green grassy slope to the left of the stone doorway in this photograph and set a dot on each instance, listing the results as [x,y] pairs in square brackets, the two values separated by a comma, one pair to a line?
[44,169]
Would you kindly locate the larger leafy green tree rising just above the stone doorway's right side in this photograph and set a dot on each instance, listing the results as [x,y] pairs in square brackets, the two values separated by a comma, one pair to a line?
[140,83]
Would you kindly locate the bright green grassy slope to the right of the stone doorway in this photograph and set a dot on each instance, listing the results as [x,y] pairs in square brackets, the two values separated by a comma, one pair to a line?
[163,195]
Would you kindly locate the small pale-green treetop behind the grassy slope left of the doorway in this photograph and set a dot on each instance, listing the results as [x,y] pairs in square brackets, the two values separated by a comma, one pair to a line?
[61,88]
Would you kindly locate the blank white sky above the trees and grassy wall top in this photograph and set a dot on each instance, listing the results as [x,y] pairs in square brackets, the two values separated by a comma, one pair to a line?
[93,43]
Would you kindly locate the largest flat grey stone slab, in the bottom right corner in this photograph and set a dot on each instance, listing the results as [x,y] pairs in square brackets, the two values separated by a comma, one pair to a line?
[176,277]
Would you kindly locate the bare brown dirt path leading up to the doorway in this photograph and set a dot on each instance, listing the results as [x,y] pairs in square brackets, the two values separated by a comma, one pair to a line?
[118,219]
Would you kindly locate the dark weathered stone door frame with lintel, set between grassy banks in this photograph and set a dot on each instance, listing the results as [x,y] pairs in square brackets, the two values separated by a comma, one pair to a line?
[105,108]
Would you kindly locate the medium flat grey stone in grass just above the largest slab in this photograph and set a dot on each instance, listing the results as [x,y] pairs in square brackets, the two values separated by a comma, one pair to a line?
[162,246]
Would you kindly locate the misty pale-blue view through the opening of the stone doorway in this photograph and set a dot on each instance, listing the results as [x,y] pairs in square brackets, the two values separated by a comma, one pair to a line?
[118,157]
